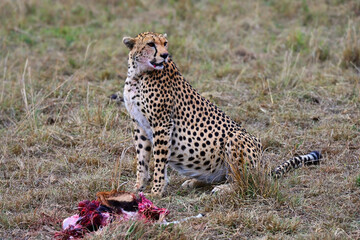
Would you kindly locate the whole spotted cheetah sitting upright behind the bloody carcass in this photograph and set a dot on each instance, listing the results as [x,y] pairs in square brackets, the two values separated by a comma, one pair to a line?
[181,128]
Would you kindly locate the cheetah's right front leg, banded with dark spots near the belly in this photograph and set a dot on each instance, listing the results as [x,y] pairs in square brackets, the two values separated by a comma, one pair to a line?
[161,150]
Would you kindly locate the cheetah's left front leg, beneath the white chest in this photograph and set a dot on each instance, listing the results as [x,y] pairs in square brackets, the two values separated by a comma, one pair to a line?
[143,152]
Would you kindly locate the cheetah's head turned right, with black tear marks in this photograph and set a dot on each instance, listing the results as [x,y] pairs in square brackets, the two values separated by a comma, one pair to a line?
[148,50]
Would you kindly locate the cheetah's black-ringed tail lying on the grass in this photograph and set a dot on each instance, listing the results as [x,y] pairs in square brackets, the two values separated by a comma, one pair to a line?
[312,158]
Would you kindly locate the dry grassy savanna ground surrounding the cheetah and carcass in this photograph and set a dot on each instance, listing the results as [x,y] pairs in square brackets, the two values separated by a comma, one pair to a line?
[287,70]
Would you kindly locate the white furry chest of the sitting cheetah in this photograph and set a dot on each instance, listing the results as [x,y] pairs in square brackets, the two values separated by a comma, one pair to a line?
[131,99]
